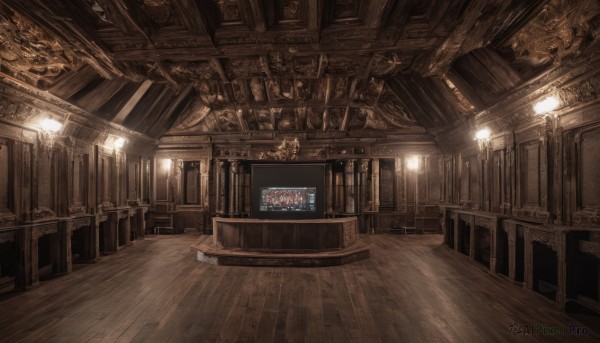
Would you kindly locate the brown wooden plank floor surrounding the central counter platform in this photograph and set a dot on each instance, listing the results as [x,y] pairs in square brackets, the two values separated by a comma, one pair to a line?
[412,289]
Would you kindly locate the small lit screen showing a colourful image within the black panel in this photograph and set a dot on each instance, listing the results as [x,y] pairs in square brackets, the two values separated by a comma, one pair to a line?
[292,199]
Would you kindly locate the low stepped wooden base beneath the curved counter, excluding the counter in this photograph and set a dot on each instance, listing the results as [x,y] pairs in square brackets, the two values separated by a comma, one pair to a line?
[206,252]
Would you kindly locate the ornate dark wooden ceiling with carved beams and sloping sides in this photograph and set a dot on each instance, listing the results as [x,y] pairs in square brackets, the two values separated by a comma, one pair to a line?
[224,67]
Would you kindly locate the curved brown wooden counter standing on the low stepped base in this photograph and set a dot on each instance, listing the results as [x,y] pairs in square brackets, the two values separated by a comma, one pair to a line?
[266,235]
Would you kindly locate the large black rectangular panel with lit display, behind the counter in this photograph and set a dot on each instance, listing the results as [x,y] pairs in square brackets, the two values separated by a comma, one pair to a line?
[287,191]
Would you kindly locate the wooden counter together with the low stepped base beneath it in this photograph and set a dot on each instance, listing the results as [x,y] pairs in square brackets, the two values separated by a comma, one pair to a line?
[302,243]
